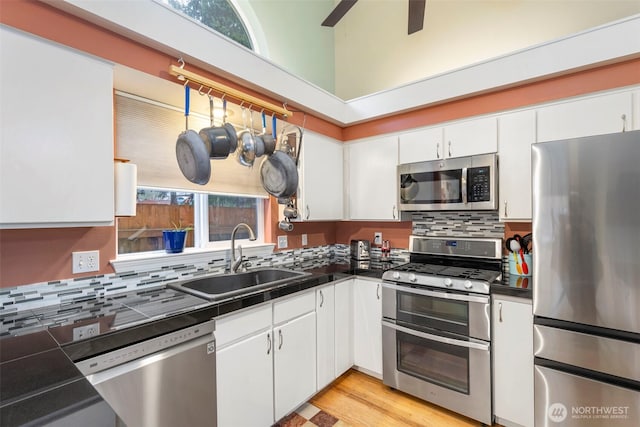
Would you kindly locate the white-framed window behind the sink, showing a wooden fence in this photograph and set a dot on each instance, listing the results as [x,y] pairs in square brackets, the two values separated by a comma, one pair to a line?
[211,218]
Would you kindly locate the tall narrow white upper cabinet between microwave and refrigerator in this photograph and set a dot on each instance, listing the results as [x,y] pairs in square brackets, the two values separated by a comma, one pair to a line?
[516,133]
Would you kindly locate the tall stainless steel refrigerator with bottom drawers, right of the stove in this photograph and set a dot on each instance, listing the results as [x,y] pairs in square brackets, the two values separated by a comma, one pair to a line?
[586,298]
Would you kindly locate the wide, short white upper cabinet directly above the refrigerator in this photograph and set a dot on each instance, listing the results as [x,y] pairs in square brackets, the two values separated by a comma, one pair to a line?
[594,115]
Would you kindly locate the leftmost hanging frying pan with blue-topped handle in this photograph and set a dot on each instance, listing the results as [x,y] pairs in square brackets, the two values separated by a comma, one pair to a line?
[191,151]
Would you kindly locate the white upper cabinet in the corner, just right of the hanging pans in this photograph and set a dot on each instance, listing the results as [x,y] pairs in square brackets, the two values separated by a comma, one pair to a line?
[320,189]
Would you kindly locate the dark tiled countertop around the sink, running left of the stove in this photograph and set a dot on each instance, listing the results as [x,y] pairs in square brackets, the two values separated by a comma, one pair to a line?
[38,378]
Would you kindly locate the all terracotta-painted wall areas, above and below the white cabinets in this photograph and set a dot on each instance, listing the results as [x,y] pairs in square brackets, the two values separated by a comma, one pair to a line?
[30,256]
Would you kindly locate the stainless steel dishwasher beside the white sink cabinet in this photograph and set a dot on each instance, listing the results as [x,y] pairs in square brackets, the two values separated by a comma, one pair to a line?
[167,381]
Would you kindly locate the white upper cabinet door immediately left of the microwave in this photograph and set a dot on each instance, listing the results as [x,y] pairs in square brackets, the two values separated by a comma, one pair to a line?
[372,166]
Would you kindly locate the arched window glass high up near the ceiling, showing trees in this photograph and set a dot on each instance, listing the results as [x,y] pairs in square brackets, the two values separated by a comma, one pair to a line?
[219,15]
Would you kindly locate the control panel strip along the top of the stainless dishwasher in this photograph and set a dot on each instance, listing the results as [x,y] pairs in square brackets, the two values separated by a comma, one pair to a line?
[146,348]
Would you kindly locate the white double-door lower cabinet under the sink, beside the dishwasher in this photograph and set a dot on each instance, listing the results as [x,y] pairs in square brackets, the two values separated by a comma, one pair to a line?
[266,361]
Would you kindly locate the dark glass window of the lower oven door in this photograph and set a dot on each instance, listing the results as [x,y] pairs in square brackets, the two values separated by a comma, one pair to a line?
[443,364]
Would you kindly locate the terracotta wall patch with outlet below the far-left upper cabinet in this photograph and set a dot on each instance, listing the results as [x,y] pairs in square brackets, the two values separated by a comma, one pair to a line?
[40,255]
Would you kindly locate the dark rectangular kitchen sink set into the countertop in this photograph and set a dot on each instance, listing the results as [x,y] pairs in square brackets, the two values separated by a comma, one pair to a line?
[222,286]
